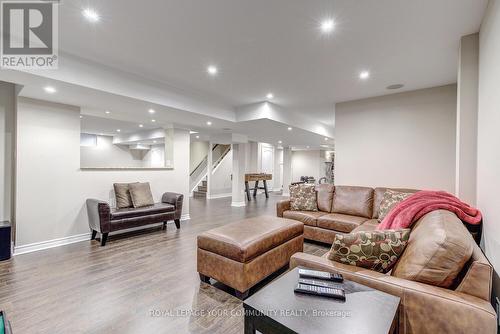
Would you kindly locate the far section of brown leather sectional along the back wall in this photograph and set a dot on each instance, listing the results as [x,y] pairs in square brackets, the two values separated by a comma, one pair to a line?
[339,211]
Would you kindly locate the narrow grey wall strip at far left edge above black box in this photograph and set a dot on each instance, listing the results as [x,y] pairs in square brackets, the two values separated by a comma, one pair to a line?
[7,116]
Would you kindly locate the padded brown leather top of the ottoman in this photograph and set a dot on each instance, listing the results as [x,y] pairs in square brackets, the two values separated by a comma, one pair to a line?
[245,240]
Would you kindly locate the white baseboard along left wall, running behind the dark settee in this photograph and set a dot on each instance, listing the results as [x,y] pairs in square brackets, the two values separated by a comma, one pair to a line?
[38,246]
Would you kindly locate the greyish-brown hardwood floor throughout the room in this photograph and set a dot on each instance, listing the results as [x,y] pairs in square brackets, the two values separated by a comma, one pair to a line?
[141,282]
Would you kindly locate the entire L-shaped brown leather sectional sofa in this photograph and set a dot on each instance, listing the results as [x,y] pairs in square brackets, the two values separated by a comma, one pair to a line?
[442,289]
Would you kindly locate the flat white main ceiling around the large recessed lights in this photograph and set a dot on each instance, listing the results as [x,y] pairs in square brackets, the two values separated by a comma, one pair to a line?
[263,46]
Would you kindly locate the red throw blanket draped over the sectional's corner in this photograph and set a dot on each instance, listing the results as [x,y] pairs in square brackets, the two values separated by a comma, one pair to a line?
[416,206]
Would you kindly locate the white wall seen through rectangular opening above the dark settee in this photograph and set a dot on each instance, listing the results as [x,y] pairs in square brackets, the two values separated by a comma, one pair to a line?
[107,154]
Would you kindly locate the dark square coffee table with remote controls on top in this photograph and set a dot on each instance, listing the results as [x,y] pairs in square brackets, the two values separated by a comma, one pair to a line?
[277,309]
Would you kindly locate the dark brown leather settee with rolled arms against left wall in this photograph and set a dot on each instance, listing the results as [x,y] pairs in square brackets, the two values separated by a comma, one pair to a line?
[104,219]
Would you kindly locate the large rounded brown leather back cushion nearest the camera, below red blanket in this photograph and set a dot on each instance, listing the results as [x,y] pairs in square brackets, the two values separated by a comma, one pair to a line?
[438,249]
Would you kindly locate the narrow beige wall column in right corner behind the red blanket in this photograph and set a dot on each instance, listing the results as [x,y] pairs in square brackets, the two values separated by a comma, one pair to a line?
[467,88]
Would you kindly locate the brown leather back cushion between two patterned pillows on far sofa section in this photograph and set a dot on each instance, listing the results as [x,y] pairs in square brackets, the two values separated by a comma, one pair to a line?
[355,201]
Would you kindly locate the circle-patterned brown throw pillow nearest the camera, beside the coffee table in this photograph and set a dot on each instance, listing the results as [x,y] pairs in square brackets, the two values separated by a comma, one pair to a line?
[374,250]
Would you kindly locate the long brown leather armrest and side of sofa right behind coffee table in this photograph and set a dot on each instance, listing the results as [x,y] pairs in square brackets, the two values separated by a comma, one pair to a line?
[424,308]
